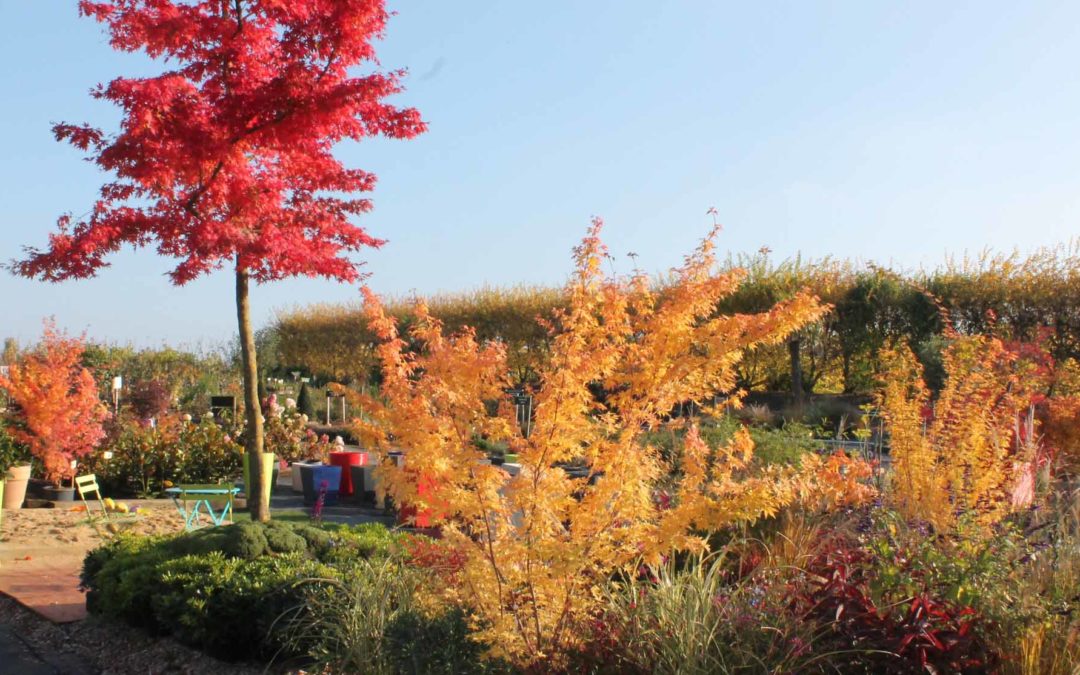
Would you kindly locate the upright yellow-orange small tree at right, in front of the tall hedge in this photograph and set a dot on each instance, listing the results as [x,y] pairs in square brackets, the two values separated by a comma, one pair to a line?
[964,452]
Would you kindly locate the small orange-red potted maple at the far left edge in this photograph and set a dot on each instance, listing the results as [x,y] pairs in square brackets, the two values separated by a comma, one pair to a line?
[58,411]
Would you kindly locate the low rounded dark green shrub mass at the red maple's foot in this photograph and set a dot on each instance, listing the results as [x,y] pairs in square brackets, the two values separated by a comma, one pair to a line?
[224,590]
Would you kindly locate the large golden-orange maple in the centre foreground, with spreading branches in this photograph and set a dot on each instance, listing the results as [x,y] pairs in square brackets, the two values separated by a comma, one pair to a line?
[537,547]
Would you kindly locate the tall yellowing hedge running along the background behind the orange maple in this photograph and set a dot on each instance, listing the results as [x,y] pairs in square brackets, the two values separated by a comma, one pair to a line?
[1012,295]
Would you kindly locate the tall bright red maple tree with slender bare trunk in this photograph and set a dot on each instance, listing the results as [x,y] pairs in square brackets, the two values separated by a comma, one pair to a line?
[226,158]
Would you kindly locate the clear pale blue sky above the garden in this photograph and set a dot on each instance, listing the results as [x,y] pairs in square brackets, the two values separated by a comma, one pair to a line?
[880,131]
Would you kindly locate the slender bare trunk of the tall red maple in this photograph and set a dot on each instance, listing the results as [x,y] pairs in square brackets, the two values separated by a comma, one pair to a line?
[259,499]
